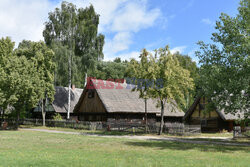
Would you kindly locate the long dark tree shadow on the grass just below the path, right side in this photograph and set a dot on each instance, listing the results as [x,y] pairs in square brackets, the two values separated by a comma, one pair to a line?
[172,145]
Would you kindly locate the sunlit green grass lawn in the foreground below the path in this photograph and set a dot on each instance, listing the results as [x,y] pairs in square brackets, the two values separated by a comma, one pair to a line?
[27,148]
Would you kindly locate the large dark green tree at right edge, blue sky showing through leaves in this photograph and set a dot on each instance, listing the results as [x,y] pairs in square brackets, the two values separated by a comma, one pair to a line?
[225,69]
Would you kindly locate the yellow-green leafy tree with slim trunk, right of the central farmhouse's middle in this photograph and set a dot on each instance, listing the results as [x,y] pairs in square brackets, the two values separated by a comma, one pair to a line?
[171,81]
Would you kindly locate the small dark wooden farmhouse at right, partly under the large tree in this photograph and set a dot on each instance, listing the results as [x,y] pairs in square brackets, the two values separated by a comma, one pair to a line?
[211,121]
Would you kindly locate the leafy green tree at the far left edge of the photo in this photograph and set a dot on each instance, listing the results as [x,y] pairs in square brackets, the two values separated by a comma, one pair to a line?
[19,79]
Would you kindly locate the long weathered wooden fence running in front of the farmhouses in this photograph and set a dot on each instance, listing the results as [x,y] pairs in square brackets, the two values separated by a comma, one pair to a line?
[121,126]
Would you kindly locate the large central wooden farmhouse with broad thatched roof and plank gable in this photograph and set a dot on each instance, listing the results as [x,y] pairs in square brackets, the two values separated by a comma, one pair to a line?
[104,101]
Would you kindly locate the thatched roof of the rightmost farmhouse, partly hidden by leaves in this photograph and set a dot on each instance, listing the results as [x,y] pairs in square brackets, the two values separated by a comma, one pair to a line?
[221,112]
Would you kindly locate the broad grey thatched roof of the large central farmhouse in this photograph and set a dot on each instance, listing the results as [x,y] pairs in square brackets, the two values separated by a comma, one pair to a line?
[121,99]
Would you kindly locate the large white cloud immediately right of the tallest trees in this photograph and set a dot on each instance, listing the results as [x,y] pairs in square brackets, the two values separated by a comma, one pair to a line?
[121,20]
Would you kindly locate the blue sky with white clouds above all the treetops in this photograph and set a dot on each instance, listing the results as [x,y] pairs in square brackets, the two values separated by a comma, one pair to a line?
[128,25]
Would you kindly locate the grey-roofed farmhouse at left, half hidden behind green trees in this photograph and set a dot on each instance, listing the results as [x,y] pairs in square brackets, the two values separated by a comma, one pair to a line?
[60,103]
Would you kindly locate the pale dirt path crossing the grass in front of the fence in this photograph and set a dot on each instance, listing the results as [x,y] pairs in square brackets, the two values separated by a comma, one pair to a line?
[205,140]
